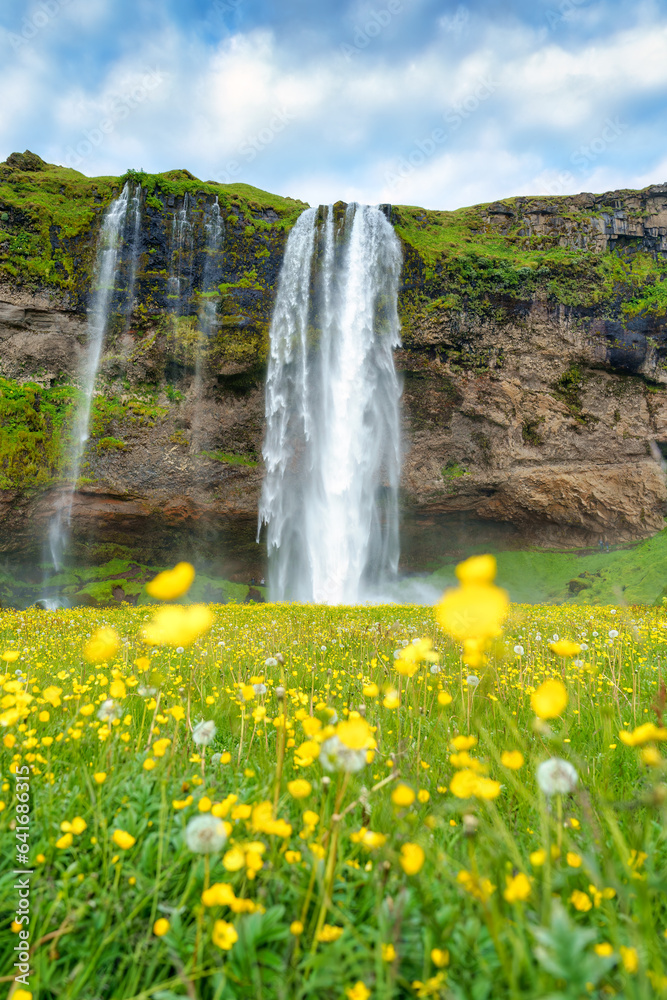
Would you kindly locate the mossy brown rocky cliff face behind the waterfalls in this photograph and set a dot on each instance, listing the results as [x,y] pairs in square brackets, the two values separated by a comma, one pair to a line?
[534,362]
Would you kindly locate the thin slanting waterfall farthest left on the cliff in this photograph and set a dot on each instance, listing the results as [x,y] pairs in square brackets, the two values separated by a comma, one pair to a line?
[106,265]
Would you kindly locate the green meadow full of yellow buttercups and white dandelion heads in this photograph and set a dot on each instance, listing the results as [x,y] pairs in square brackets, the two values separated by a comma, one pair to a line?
[291,801]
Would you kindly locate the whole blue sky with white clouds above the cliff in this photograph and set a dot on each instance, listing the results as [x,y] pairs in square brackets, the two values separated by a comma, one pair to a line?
[410,101]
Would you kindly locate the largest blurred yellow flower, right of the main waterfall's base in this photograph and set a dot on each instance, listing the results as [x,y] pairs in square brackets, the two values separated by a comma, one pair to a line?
[474,612]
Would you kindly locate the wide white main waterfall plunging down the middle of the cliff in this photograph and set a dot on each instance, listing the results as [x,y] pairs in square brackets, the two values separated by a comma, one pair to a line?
[332,445]
